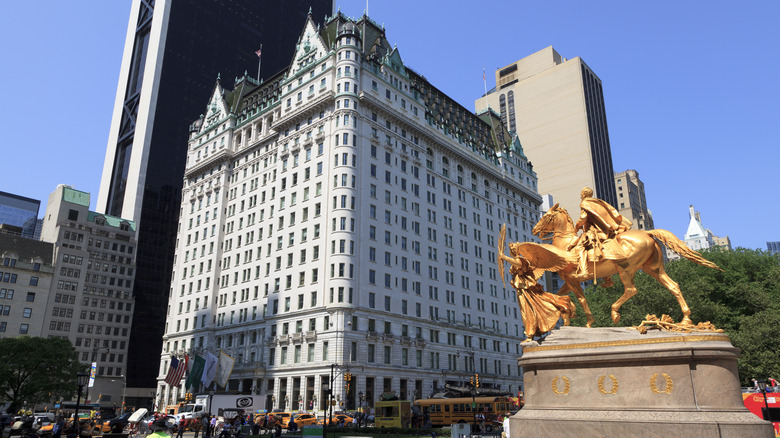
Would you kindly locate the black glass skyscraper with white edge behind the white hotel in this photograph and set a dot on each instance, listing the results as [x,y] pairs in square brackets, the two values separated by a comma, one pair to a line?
[174,51]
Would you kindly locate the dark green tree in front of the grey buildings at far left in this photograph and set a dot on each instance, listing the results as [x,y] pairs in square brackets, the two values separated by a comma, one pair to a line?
[35,370]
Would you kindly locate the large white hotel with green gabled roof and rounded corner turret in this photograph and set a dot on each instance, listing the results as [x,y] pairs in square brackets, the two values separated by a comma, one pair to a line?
[345,213]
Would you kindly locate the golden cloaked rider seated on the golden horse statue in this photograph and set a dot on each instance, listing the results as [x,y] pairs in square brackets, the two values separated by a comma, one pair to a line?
[600,223]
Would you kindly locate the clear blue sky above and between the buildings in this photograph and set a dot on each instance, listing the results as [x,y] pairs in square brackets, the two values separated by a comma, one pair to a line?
[692,90]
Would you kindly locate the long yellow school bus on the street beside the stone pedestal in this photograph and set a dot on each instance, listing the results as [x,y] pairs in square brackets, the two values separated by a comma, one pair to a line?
[446,411]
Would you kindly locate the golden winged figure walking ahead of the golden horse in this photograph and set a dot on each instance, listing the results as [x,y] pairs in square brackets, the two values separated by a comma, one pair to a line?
[528,261]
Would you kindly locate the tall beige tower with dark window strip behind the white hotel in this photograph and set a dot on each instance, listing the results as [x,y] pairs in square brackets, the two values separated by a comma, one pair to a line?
[556,108]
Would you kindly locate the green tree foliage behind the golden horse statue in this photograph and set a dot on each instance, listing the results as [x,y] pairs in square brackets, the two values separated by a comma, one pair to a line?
[743,300]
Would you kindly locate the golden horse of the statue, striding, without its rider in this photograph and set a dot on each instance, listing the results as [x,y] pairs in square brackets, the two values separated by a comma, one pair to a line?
[641,250]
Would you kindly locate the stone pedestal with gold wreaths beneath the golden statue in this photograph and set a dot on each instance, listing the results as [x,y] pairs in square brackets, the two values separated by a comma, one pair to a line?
[616,382]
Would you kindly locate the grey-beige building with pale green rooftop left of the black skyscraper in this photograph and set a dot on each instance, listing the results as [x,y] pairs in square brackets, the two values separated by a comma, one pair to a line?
[91,300]
